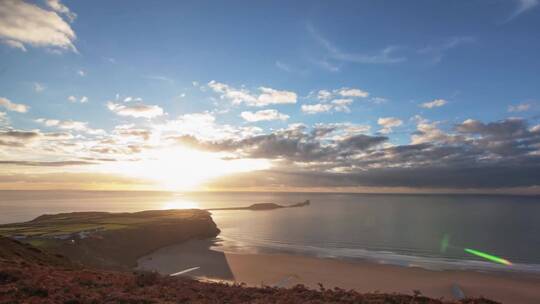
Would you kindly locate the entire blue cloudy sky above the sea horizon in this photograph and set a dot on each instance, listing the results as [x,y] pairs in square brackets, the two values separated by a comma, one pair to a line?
[353,96]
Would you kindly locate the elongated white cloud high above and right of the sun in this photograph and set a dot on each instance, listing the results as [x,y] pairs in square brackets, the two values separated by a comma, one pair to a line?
[268,96]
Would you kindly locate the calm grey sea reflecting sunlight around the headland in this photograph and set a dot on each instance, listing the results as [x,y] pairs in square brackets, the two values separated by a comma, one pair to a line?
[397,229]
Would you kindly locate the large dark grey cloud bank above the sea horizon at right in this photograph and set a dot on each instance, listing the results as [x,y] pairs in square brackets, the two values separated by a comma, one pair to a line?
[483,156]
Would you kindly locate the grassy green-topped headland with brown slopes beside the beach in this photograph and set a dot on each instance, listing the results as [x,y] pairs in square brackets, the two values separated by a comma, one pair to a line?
[116,240]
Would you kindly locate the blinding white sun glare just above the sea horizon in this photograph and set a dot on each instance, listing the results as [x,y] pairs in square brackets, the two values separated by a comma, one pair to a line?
[185,169]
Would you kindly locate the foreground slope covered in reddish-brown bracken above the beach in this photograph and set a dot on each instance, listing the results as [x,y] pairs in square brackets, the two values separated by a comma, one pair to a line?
[28,275]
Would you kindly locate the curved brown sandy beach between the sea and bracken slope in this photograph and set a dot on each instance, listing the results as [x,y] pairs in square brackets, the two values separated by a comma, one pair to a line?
[289,270]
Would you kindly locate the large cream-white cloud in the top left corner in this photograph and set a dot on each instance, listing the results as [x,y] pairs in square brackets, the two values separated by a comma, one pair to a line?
[23,24]
